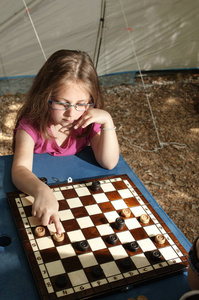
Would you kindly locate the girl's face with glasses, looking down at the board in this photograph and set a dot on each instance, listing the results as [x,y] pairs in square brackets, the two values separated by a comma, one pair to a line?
[72,94]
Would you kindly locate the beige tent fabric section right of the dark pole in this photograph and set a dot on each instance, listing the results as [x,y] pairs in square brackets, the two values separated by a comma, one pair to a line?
[165,35]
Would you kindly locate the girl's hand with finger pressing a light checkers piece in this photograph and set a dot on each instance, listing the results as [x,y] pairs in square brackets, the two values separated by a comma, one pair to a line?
[45,208]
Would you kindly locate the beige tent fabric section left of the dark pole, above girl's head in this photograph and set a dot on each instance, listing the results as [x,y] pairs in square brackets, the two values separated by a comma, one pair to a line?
[60,24]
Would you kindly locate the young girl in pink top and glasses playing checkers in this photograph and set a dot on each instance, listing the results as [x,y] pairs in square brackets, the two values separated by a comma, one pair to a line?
[63,114]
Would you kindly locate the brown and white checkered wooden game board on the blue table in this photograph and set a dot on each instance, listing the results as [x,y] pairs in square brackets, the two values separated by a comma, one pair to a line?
[103,249]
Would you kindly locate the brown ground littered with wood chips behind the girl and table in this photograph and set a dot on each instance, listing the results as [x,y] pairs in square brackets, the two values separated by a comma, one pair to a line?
[157,121]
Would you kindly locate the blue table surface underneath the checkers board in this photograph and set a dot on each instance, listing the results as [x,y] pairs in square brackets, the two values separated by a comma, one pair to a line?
[16,281]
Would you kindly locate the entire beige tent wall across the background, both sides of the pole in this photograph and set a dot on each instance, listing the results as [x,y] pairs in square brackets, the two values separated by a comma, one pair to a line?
[161,35]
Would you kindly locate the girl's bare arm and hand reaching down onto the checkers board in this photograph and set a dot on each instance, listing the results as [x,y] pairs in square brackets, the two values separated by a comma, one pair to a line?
[45,206]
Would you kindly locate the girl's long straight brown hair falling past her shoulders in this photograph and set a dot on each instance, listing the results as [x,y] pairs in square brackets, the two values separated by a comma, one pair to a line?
[61,68]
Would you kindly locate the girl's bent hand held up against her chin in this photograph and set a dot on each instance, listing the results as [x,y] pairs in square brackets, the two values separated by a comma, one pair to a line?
[95,115]
